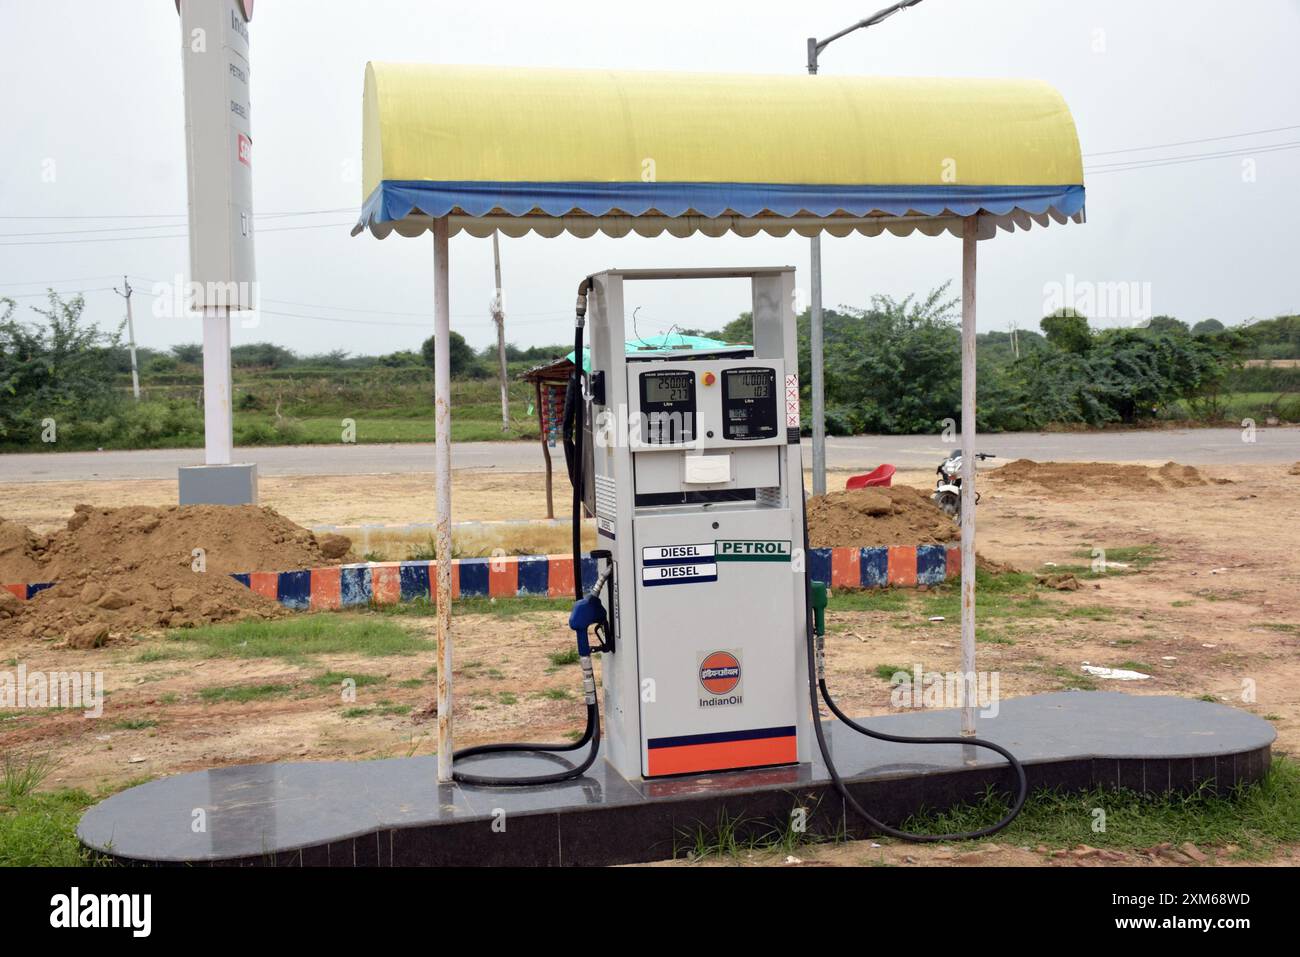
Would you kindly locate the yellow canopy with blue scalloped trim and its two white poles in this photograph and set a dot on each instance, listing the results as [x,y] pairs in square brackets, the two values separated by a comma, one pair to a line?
[418,157]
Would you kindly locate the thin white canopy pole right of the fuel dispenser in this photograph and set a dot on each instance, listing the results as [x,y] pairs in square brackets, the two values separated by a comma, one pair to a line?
[970,227]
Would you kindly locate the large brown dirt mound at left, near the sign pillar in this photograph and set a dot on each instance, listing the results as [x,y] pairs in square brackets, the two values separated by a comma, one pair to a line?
[125,571]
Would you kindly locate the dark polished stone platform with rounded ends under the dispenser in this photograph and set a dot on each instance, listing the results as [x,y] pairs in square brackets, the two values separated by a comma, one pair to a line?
[395,813]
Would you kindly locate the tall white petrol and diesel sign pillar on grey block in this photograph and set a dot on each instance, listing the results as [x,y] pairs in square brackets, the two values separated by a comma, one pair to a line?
[223,279]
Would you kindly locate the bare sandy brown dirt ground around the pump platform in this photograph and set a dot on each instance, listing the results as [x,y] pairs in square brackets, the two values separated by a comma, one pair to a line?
[1215,613]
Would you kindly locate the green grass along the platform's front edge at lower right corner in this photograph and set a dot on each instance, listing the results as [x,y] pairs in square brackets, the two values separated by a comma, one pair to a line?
[1258,819]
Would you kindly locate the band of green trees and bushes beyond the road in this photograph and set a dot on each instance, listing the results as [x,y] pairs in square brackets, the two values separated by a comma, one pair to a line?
[892,367]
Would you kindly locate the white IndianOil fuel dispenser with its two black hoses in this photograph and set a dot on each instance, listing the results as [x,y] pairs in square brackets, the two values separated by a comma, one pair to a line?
[709,623]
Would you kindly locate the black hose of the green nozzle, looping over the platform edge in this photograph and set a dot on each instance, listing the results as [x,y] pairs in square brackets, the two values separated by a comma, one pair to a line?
[818,685]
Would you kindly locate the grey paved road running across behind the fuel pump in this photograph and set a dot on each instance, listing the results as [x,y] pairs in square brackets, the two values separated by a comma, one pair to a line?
[1189,447]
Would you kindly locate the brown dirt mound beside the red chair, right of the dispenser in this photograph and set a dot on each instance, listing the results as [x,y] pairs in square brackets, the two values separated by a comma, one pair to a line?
[896,516]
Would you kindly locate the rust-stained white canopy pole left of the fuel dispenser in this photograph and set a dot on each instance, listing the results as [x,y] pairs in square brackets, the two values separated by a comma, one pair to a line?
[443,486]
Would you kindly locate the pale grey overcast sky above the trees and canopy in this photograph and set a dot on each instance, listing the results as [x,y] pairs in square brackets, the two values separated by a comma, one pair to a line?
[96,105]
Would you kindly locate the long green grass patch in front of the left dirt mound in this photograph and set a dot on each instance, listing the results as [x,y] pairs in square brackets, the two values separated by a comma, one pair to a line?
[302,636]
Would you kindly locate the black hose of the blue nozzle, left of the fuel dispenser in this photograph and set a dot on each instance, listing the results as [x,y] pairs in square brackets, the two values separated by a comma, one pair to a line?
[573,435]
